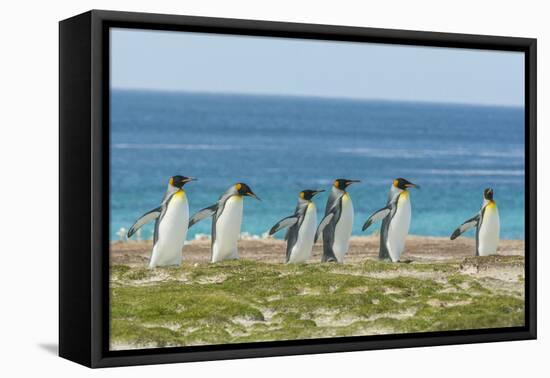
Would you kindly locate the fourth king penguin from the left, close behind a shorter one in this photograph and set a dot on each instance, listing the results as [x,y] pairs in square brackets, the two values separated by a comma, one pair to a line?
[337,224]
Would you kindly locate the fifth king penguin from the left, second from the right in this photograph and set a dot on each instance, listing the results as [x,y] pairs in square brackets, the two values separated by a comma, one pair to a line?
[396,220]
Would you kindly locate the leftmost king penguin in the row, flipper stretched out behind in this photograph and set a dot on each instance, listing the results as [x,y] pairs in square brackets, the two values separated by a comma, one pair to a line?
[171,220]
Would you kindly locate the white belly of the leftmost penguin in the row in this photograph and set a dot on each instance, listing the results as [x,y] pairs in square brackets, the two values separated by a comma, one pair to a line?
[172,231]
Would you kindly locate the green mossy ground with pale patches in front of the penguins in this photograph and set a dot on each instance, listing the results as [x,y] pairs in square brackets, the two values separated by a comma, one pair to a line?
[244,301]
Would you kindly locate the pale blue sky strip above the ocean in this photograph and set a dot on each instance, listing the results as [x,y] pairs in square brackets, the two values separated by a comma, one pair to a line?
[181,61]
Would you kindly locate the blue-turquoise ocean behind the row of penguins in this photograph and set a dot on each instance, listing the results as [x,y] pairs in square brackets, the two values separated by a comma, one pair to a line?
[281,145]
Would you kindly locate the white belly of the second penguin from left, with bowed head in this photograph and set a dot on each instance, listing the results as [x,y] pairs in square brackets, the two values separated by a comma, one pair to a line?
[228,229]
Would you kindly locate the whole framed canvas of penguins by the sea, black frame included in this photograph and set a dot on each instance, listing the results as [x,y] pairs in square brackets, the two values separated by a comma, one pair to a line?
[234,188]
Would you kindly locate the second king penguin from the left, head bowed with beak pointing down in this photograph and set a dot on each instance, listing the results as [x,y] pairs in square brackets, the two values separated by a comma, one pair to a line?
[227,215]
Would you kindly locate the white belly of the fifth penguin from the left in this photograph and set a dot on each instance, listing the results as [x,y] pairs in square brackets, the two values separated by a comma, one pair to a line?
[399,227]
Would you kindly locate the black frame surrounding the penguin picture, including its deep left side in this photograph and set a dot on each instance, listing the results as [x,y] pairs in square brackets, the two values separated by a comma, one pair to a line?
[84,187]
